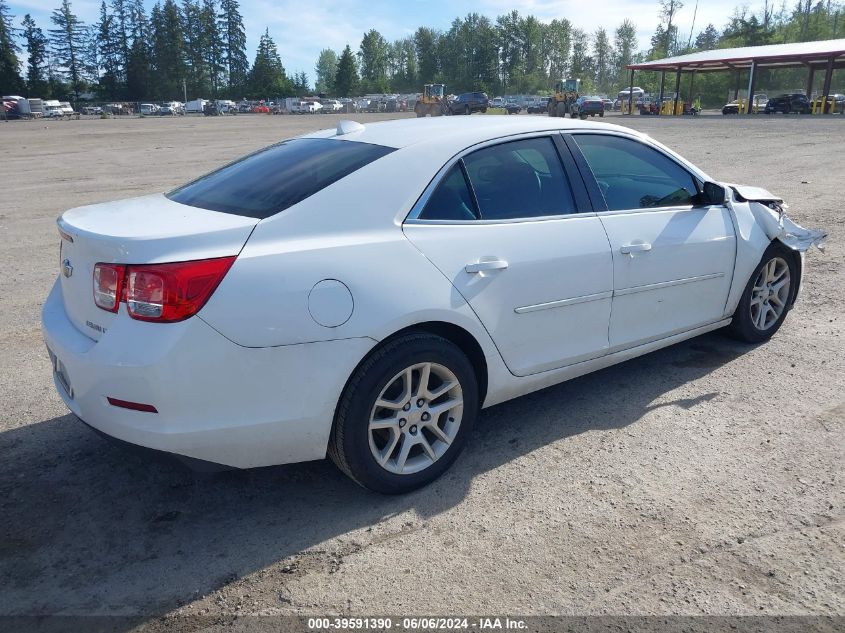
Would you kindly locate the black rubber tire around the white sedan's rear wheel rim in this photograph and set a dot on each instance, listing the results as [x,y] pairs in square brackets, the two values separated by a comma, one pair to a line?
[349,446]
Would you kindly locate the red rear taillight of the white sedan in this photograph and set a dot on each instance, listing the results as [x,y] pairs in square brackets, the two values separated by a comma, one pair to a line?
[164,292]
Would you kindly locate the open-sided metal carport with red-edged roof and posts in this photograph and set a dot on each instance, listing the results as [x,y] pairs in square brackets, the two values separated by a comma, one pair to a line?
[825,54]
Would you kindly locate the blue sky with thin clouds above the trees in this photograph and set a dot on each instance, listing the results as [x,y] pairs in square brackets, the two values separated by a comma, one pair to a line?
[301,28]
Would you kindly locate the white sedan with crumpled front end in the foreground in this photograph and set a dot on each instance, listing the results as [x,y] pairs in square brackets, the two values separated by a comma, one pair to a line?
[364,291]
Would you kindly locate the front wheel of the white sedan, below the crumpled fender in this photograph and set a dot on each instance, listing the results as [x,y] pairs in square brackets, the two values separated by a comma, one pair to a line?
[767,297]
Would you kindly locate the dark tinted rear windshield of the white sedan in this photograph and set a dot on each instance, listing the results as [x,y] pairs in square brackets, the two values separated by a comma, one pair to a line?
[277,177]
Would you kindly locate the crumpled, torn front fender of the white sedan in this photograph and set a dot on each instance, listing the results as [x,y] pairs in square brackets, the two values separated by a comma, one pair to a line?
[768,212]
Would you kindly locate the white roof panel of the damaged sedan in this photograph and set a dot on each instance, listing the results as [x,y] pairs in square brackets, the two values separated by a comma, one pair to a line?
[453,134]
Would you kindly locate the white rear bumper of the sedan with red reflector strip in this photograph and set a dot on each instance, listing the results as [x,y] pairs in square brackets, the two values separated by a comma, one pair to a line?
[216,401]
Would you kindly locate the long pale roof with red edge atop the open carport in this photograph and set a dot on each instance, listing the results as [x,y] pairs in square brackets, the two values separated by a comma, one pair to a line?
[816,54]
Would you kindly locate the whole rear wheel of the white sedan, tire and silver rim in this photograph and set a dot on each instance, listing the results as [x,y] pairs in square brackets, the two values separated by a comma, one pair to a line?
[405,414]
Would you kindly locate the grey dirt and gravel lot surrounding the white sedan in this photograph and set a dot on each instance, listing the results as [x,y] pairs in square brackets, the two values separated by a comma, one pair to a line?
[706,478]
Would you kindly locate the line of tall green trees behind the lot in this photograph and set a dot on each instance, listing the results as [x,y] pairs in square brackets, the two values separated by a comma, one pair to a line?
[199,47]
